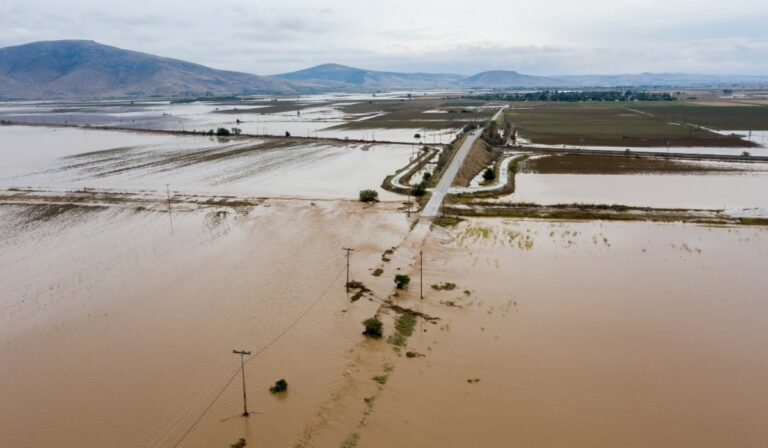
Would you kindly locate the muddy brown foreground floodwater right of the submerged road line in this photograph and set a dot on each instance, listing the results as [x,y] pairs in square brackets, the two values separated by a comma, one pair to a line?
[585,334]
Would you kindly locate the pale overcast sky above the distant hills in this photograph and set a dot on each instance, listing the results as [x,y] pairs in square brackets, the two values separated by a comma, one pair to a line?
[542,37]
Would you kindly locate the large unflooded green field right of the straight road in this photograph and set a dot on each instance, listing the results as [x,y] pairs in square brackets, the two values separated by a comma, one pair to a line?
[608,124]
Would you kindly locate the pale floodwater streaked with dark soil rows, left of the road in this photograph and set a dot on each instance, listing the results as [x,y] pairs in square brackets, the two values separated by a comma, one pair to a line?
[69,158]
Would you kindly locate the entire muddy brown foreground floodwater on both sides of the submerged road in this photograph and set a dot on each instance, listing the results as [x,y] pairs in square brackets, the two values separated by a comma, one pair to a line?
[118,333]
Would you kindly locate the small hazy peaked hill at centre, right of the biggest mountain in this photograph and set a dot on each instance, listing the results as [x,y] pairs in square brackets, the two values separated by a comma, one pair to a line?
[338,76]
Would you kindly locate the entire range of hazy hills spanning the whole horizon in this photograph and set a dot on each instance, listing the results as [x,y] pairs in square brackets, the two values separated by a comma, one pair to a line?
[86,69]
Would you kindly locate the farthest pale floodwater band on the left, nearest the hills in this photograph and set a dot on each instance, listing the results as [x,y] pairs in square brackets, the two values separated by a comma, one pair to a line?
[318,116]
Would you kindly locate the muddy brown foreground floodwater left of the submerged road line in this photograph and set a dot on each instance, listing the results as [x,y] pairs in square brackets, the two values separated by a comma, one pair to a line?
[117,332]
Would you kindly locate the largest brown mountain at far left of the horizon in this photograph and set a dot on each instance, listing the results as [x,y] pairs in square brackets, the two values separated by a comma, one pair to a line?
[80,69]
